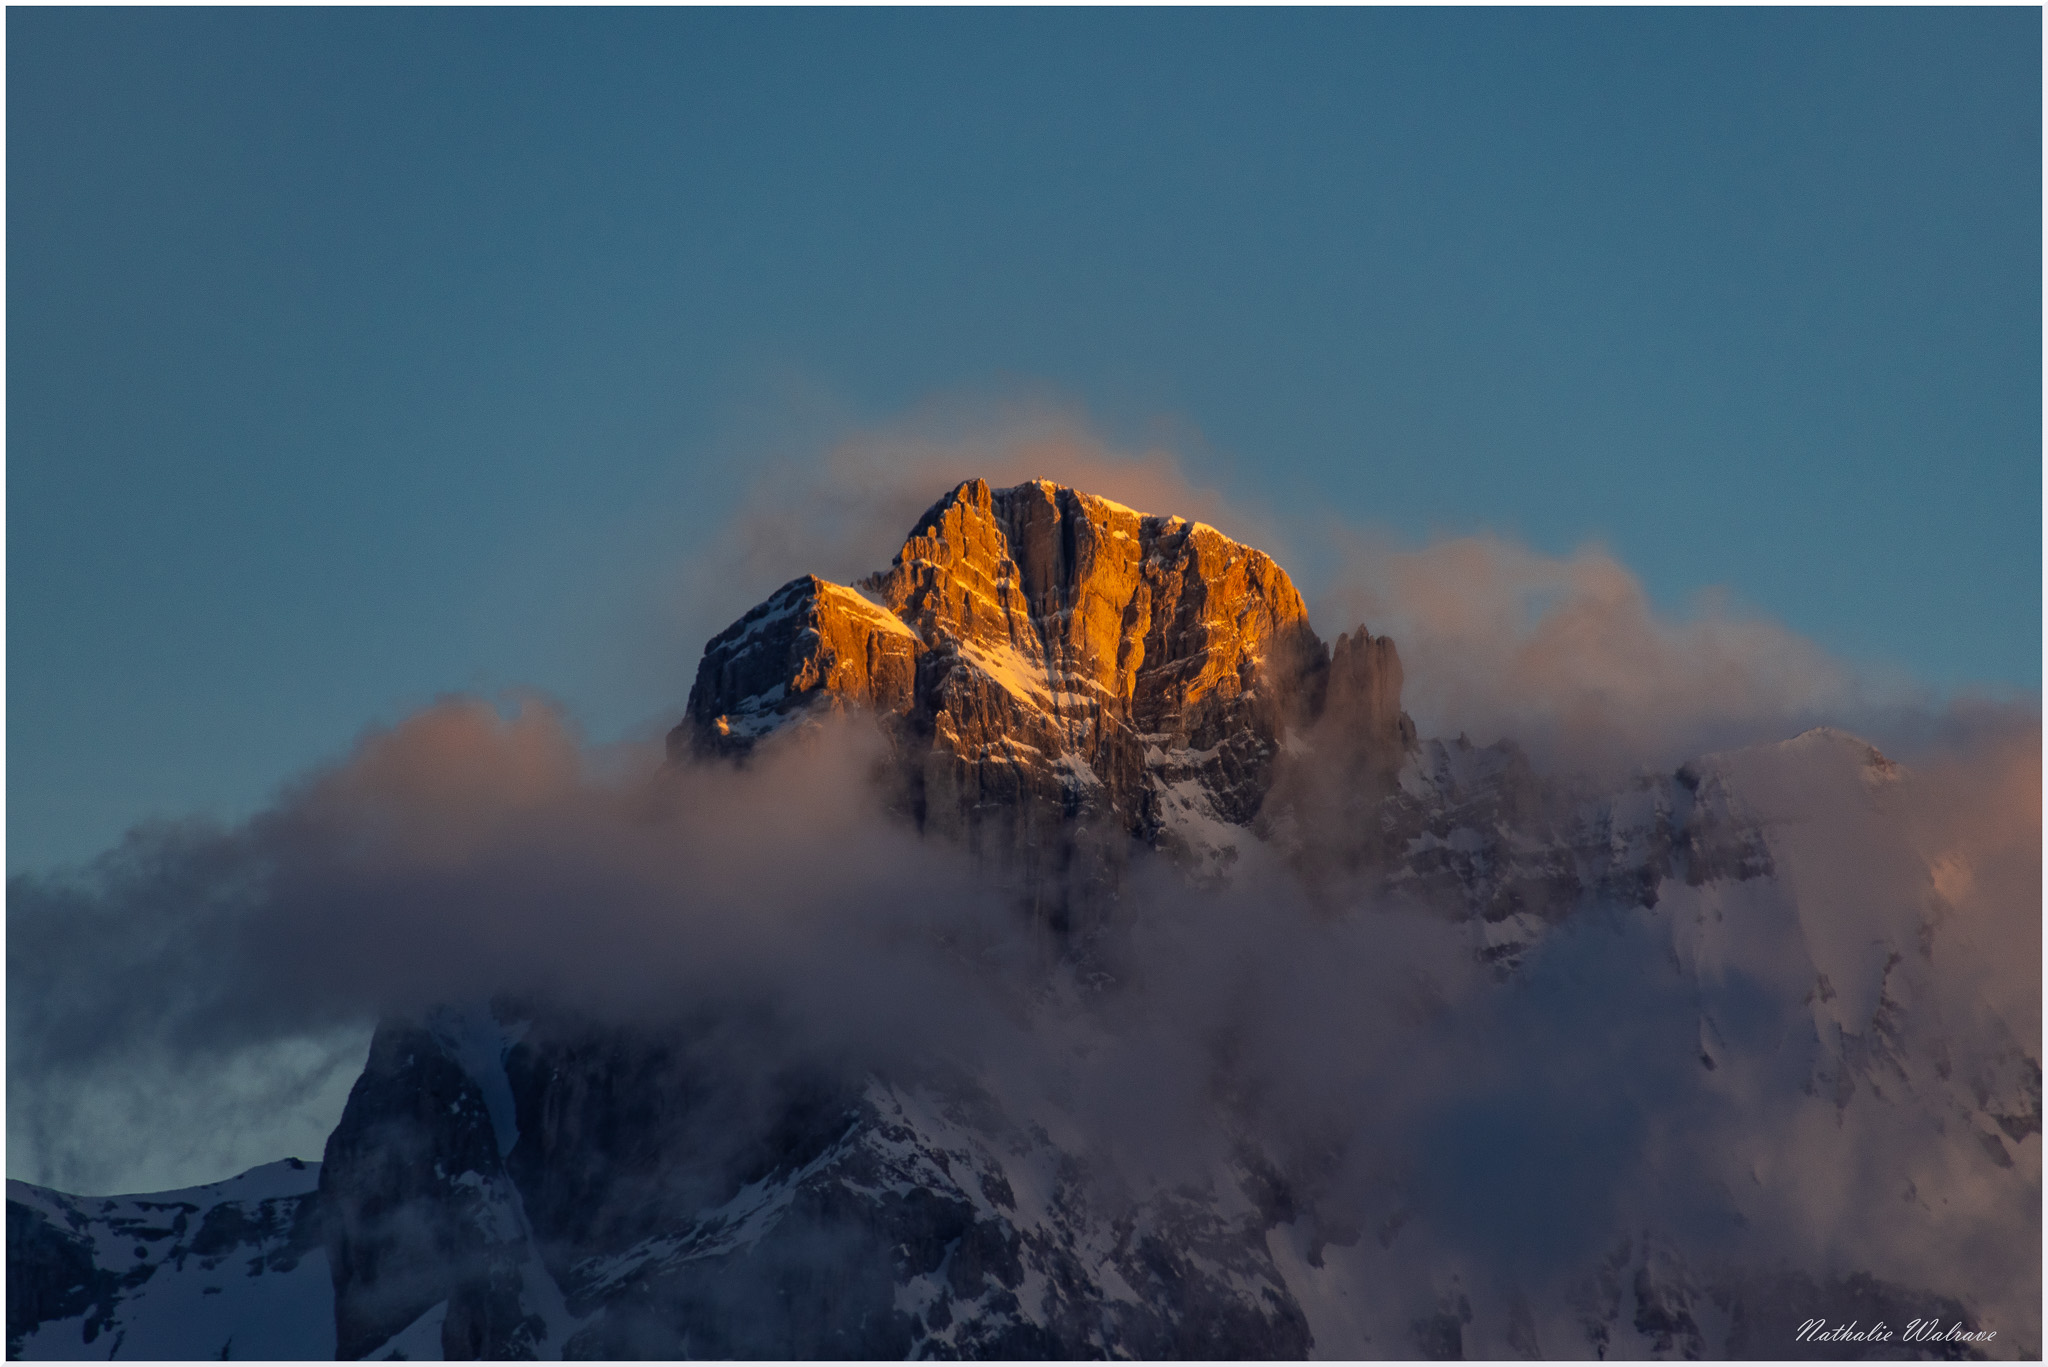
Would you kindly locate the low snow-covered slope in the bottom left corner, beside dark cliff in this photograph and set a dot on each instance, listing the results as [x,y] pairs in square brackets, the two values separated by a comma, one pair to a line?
[230,1270]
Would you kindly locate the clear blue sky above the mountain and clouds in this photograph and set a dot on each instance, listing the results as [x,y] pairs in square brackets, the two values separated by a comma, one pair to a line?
[364,356]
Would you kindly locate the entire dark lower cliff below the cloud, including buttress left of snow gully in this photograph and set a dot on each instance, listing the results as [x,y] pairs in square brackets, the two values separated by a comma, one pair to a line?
[693,1204]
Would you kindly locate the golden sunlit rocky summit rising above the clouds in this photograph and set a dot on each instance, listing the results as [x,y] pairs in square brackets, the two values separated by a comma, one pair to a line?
[1058,671]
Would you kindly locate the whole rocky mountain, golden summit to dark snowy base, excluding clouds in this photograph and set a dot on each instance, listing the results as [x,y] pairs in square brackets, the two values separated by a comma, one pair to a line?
[1070,690]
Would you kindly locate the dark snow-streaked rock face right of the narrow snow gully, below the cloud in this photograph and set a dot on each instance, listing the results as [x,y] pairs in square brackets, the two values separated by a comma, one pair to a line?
[697,1202]
